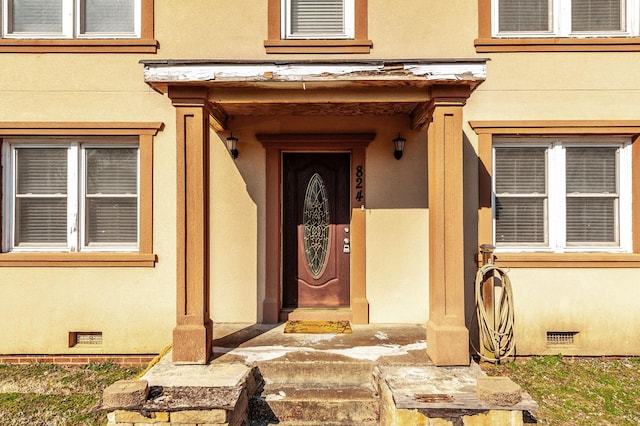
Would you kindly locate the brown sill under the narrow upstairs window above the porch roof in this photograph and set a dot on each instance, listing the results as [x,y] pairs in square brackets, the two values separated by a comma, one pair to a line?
[318,46]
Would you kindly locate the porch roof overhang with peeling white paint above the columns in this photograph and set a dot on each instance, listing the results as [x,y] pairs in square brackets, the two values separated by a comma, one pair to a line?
[374,87]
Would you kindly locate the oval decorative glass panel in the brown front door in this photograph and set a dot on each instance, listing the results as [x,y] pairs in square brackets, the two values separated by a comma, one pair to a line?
[315,224]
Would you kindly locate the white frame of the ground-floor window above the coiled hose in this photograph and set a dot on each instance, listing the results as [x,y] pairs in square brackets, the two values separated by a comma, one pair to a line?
[555,220]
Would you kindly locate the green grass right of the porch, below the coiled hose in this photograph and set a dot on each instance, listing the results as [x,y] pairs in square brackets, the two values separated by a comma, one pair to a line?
[578,391]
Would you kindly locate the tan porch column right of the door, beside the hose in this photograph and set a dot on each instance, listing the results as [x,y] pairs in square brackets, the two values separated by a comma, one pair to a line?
[447,335]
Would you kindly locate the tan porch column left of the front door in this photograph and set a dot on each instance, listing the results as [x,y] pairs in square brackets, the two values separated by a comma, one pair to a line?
[193,332]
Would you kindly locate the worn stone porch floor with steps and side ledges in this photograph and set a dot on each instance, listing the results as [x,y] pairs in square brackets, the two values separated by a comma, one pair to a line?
[378,374]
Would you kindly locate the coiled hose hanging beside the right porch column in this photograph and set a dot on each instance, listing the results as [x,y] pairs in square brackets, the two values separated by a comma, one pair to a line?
[497,339]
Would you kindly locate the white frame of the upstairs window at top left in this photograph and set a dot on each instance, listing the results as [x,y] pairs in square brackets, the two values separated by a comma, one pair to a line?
[71,24]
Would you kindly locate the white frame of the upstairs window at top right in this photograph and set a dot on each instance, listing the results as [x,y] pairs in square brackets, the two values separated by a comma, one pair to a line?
[561,22]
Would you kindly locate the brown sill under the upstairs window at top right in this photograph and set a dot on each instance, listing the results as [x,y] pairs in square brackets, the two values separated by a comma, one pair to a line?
[612,44]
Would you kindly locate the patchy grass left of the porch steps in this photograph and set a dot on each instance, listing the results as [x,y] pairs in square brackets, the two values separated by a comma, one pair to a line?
[49,394]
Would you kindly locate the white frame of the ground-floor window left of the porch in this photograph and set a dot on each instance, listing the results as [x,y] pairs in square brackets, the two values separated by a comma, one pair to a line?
[76,195]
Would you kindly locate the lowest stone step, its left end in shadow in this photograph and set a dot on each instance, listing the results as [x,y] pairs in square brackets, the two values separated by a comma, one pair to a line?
[327,405]
